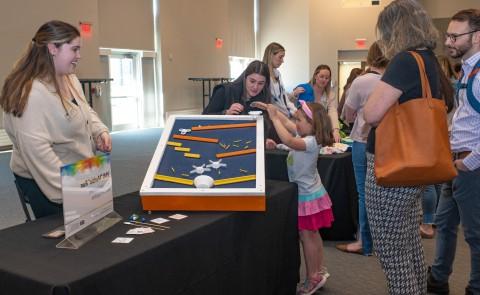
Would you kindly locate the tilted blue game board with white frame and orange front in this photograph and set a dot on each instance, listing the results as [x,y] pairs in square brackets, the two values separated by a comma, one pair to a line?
[190,142]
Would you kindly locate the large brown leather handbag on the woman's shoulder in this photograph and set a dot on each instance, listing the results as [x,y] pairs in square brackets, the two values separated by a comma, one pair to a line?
[412,145]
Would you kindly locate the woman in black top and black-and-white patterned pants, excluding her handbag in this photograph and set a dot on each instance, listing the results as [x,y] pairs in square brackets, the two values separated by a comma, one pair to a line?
[394,212]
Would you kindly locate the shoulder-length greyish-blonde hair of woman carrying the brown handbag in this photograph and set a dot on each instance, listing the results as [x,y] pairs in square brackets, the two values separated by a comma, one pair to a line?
[405,25]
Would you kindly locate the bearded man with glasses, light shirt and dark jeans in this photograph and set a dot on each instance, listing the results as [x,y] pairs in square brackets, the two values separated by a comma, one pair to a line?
[460,199]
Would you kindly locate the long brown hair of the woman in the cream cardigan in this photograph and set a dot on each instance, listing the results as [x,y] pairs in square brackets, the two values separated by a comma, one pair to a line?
[36,62]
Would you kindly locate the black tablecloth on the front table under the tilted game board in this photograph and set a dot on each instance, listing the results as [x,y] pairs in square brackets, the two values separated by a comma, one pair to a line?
[206,253]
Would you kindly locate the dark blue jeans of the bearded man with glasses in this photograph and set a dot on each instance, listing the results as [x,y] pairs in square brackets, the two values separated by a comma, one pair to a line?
[459,203]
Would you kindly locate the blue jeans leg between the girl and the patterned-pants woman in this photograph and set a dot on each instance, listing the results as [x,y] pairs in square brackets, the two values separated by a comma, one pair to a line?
[359,160]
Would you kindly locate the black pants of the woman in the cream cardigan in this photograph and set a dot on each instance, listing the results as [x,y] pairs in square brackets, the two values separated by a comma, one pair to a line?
[41,205]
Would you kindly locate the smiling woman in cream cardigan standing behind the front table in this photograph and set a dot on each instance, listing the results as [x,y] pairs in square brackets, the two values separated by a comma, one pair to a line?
[47,117]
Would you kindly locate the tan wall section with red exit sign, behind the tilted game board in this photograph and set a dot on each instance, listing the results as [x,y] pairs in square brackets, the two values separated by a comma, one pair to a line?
[187,31]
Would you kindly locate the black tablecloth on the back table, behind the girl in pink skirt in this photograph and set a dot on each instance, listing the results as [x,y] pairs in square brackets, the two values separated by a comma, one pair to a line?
[336,172]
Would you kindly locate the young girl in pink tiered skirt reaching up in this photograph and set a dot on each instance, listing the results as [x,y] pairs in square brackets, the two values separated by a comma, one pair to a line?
[311,129]
